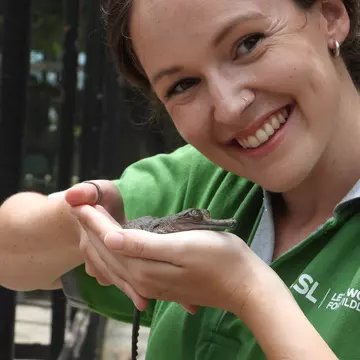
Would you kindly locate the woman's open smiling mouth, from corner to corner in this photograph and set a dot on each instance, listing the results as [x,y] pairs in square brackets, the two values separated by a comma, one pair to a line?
[268,129]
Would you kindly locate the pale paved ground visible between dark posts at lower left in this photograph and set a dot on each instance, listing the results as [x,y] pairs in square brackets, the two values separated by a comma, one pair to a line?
[33,325]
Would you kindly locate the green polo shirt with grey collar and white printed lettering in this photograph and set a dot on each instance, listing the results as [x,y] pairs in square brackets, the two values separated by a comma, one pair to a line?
[322,271]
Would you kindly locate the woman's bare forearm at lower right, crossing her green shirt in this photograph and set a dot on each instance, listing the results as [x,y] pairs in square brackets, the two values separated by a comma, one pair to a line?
[281,328]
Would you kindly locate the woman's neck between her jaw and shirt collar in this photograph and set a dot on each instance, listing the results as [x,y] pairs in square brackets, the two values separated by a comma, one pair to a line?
[335,174]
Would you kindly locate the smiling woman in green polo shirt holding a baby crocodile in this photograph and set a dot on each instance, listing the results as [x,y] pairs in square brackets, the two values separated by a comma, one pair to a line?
[265,93]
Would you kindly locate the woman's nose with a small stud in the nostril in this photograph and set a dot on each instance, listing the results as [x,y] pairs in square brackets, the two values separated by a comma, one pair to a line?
[229,101]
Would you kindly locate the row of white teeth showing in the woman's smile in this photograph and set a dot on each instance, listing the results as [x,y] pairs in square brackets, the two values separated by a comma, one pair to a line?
[263,134]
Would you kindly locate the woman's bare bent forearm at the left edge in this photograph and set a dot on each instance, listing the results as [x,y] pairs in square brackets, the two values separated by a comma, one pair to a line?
[38,241]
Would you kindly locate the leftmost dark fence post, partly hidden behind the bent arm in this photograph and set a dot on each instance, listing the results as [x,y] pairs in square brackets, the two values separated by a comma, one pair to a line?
[13,111]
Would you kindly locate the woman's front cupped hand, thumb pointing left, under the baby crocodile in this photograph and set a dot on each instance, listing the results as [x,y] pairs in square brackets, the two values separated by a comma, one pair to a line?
[194,267]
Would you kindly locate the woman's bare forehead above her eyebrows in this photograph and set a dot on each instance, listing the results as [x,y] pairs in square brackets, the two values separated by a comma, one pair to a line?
[167,27]
